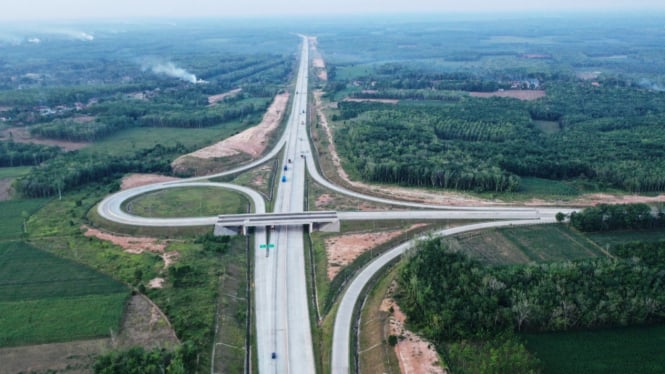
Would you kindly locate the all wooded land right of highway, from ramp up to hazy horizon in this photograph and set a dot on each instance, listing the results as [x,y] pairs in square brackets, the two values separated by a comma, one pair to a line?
[595,113]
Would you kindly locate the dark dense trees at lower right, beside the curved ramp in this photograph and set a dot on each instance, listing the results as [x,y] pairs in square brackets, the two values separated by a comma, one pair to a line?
[460,303]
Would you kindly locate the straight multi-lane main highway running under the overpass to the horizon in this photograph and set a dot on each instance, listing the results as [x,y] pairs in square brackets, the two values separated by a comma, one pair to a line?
[286,331]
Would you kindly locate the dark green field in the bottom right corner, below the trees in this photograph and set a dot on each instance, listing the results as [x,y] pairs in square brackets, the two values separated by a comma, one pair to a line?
[621,350]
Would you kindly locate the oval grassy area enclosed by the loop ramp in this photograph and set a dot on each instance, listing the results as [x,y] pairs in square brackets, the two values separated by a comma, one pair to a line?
[187,202]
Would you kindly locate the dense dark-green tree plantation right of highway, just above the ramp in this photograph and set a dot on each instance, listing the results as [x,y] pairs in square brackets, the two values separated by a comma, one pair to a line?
[487,144]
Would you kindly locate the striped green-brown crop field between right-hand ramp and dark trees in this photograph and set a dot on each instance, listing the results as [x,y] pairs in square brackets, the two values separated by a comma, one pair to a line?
[539,243]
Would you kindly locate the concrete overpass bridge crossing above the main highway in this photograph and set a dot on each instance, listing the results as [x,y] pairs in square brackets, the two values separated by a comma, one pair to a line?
[234,224]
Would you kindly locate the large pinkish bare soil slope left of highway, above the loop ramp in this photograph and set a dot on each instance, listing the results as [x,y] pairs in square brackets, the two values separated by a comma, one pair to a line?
[252,141]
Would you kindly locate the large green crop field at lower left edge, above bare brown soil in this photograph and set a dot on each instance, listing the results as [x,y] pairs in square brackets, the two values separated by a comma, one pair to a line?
[44,298]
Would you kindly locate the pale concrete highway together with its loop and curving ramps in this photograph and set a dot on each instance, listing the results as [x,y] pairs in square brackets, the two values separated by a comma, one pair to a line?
[284,343]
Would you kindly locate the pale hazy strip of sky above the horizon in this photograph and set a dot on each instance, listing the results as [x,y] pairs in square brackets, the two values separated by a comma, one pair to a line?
[78,9]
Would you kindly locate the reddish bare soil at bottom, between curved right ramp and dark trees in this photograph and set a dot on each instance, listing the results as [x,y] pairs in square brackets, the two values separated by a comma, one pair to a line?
[415,354]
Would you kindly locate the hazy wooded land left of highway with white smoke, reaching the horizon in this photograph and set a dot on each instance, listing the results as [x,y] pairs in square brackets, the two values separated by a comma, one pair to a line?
[119,83]
